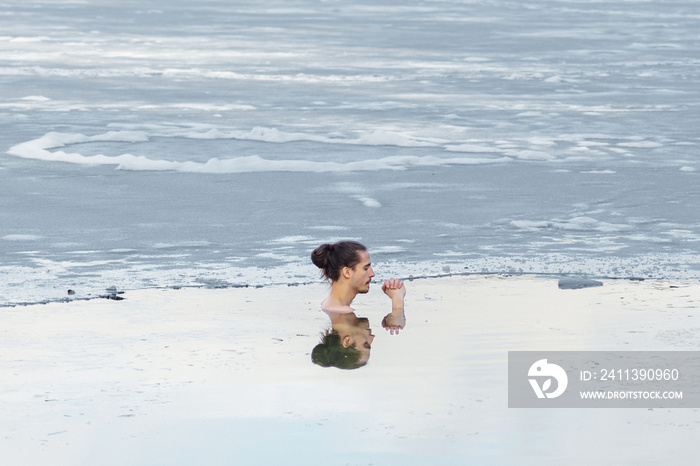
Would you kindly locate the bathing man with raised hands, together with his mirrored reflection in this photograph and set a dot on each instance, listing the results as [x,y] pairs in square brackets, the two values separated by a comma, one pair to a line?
[347,266]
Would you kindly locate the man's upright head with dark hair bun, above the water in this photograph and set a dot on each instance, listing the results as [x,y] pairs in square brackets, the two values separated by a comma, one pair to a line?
[345,260]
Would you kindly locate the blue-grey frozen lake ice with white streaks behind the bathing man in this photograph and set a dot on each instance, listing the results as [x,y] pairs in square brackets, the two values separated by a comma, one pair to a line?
[216,143]
